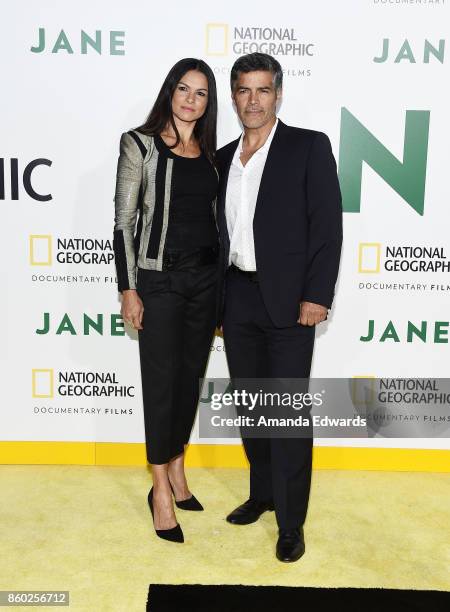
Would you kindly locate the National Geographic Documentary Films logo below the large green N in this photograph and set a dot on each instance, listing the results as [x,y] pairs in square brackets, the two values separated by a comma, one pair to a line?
[375,258]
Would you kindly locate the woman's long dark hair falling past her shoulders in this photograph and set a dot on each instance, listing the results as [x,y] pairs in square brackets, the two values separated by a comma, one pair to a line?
[161,113]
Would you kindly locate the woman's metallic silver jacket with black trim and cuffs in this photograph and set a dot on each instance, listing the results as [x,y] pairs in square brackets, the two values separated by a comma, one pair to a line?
[143,185]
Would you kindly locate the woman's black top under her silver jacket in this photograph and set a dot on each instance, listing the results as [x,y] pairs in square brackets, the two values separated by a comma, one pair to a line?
[194,187]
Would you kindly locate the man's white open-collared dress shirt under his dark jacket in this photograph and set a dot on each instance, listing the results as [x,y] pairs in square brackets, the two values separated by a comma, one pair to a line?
[242,192]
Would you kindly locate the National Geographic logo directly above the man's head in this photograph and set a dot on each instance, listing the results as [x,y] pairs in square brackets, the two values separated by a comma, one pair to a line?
[222,39]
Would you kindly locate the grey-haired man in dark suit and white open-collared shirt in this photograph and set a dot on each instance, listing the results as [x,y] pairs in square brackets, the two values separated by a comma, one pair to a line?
[280,221]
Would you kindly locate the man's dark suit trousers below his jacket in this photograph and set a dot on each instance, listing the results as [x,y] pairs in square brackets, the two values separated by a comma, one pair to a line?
[280,469]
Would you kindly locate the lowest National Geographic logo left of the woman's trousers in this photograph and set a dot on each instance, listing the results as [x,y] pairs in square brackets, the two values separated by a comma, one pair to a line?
[47,383]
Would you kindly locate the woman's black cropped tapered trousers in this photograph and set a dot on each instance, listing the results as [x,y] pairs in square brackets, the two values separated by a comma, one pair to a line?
[174,346]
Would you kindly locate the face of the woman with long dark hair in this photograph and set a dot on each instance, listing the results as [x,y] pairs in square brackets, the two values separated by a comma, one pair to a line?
[190,98]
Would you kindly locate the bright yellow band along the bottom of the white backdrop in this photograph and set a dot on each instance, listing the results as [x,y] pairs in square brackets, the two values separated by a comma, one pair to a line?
[212,455]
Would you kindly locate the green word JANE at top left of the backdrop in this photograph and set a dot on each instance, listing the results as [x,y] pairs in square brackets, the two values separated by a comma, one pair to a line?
[81,43]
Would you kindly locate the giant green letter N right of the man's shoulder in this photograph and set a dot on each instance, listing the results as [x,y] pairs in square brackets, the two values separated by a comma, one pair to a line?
[407,178]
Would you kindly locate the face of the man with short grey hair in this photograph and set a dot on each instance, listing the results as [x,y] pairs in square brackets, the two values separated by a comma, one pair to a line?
[255,98]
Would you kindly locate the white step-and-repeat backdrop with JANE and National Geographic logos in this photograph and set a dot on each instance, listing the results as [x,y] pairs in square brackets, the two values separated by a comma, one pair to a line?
[372,74]
